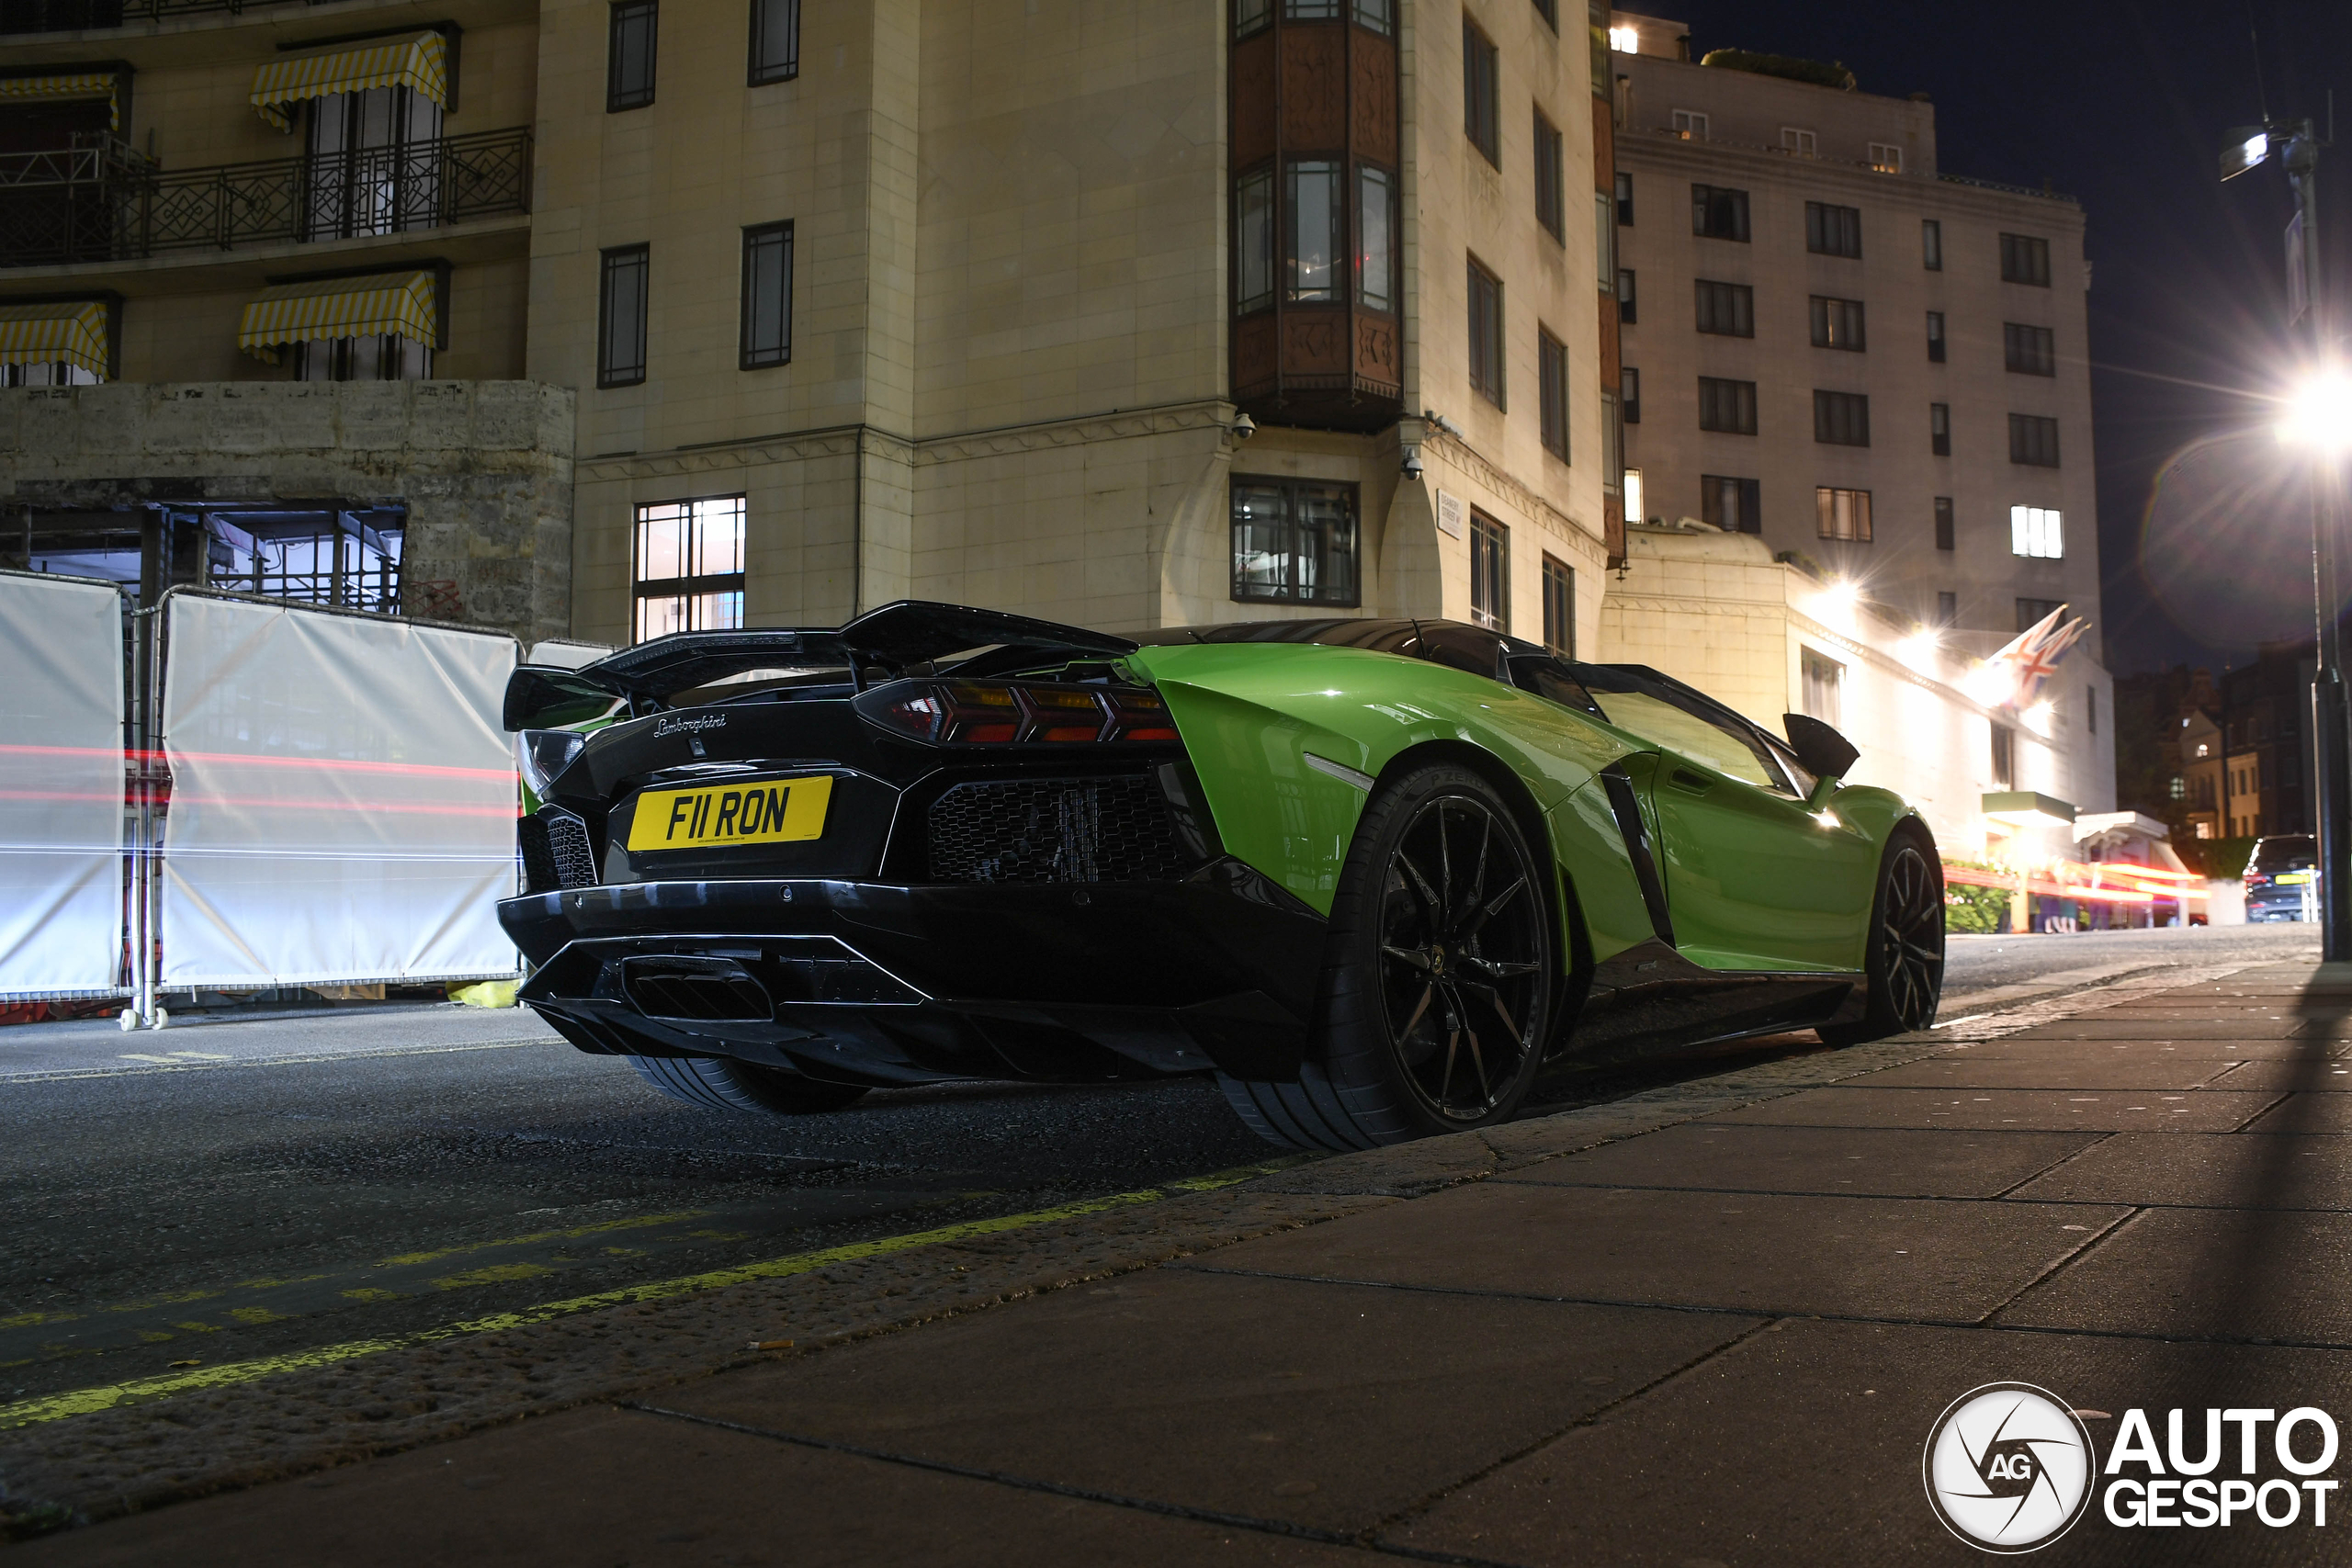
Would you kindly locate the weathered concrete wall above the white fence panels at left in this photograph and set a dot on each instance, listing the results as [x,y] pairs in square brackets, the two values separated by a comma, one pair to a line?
[483,469]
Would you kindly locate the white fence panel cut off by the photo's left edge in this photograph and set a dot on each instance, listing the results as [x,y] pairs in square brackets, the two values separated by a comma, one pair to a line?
[60,789]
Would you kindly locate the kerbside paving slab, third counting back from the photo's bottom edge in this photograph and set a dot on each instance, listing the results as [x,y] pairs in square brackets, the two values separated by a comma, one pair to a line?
[1697,1249]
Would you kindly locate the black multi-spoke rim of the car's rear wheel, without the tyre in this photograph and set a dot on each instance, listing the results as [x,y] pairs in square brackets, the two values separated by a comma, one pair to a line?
[1462,958]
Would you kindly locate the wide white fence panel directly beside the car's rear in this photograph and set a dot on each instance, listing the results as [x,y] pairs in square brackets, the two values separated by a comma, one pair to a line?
[342,798]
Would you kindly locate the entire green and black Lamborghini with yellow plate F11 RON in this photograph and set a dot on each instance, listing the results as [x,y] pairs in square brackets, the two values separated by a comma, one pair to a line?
[1377,876]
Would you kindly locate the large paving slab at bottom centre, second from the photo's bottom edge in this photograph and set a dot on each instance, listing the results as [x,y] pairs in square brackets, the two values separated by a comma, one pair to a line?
[1318,1405]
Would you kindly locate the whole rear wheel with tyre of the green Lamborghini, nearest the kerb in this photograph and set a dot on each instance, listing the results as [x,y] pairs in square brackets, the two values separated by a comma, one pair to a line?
[1438,977]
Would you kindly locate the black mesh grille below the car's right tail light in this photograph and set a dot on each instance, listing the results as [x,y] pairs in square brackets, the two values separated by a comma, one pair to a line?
[1055,831]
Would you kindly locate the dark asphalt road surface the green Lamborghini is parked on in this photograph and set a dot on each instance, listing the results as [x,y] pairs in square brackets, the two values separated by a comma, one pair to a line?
[246,1188]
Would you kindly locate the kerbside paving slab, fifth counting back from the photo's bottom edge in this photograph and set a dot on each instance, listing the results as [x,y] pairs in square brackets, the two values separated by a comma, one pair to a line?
[2203,1111]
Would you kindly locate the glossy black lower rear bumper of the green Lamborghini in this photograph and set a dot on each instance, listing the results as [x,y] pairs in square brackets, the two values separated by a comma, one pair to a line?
[909,984]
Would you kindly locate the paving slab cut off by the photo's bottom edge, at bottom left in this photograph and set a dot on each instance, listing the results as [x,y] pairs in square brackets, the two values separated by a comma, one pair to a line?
[622,1489]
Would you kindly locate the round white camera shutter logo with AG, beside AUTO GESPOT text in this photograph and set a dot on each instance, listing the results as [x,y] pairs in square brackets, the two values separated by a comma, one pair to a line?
[2010,1468]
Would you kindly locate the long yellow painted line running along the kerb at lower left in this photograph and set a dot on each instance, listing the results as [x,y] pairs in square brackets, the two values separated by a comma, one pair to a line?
[107,1398]
